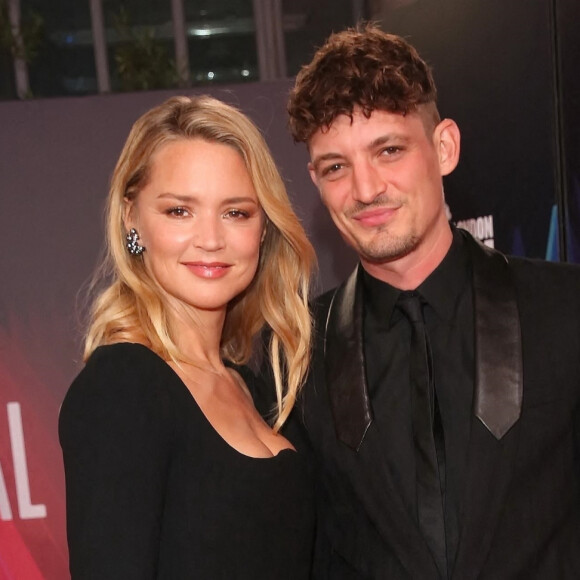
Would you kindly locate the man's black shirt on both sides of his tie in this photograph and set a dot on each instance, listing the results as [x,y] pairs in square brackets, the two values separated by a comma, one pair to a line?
[449,322]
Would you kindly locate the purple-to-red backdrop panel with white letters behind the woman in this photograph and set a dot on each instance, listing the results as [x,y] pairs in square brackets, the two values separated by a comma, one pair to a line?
[56,158]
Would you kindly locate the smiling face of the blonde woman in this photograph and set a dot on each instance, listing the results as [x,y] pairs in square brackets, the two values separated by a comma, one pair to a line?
[200,221]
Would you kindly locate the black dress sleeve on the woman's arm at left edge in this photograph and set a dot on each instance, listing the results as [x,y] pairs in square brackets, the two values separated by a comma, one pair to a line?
[116,427]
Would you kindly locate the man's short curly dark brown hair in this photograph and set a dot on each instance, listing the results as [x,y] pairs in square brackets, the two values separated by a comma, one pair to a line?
[360,67]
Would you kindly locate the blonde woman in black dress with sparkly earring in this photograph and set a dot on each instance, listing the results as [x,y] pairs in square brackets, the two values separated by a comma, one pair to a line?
[170,471]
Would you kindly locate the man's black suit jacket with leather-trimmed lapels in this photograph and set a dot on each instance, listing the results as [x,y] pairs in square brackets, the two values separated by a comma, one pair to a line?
[521,509]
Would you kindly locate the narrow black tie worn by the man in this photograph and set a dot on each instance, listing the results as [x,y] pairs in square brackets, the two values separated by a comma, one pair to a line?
[425,419]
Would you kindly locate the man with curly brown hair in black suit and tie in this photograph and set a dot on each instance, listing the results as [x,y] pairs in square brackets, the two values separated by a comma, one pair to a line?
[442,406]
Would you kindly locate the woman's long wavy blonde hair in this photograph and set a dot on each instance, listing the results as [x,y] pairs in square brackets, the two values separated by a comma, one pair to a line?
[133,309]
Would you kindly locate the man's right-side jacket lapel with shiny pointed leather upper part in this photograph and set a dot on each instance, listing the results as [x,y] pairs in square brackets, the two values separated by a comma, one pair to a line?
[497,406]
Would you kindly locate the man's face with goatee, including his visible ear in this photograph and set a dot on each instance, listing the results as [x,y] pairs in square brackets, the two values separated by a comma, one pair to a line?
[381,180]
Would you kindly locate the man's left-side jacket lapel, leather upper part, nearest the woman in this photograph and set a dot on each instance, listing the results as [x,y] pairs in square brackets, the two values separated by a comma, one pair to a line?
[353,423]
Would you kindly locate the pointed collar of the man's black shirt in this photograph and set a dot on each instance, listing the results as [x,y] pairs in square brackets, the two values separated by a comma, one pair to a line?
[441,289]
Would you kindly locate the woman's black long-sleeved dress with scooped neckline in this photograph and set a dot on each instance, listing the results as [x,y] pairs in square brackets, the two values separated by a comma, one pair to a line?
[154,492]
